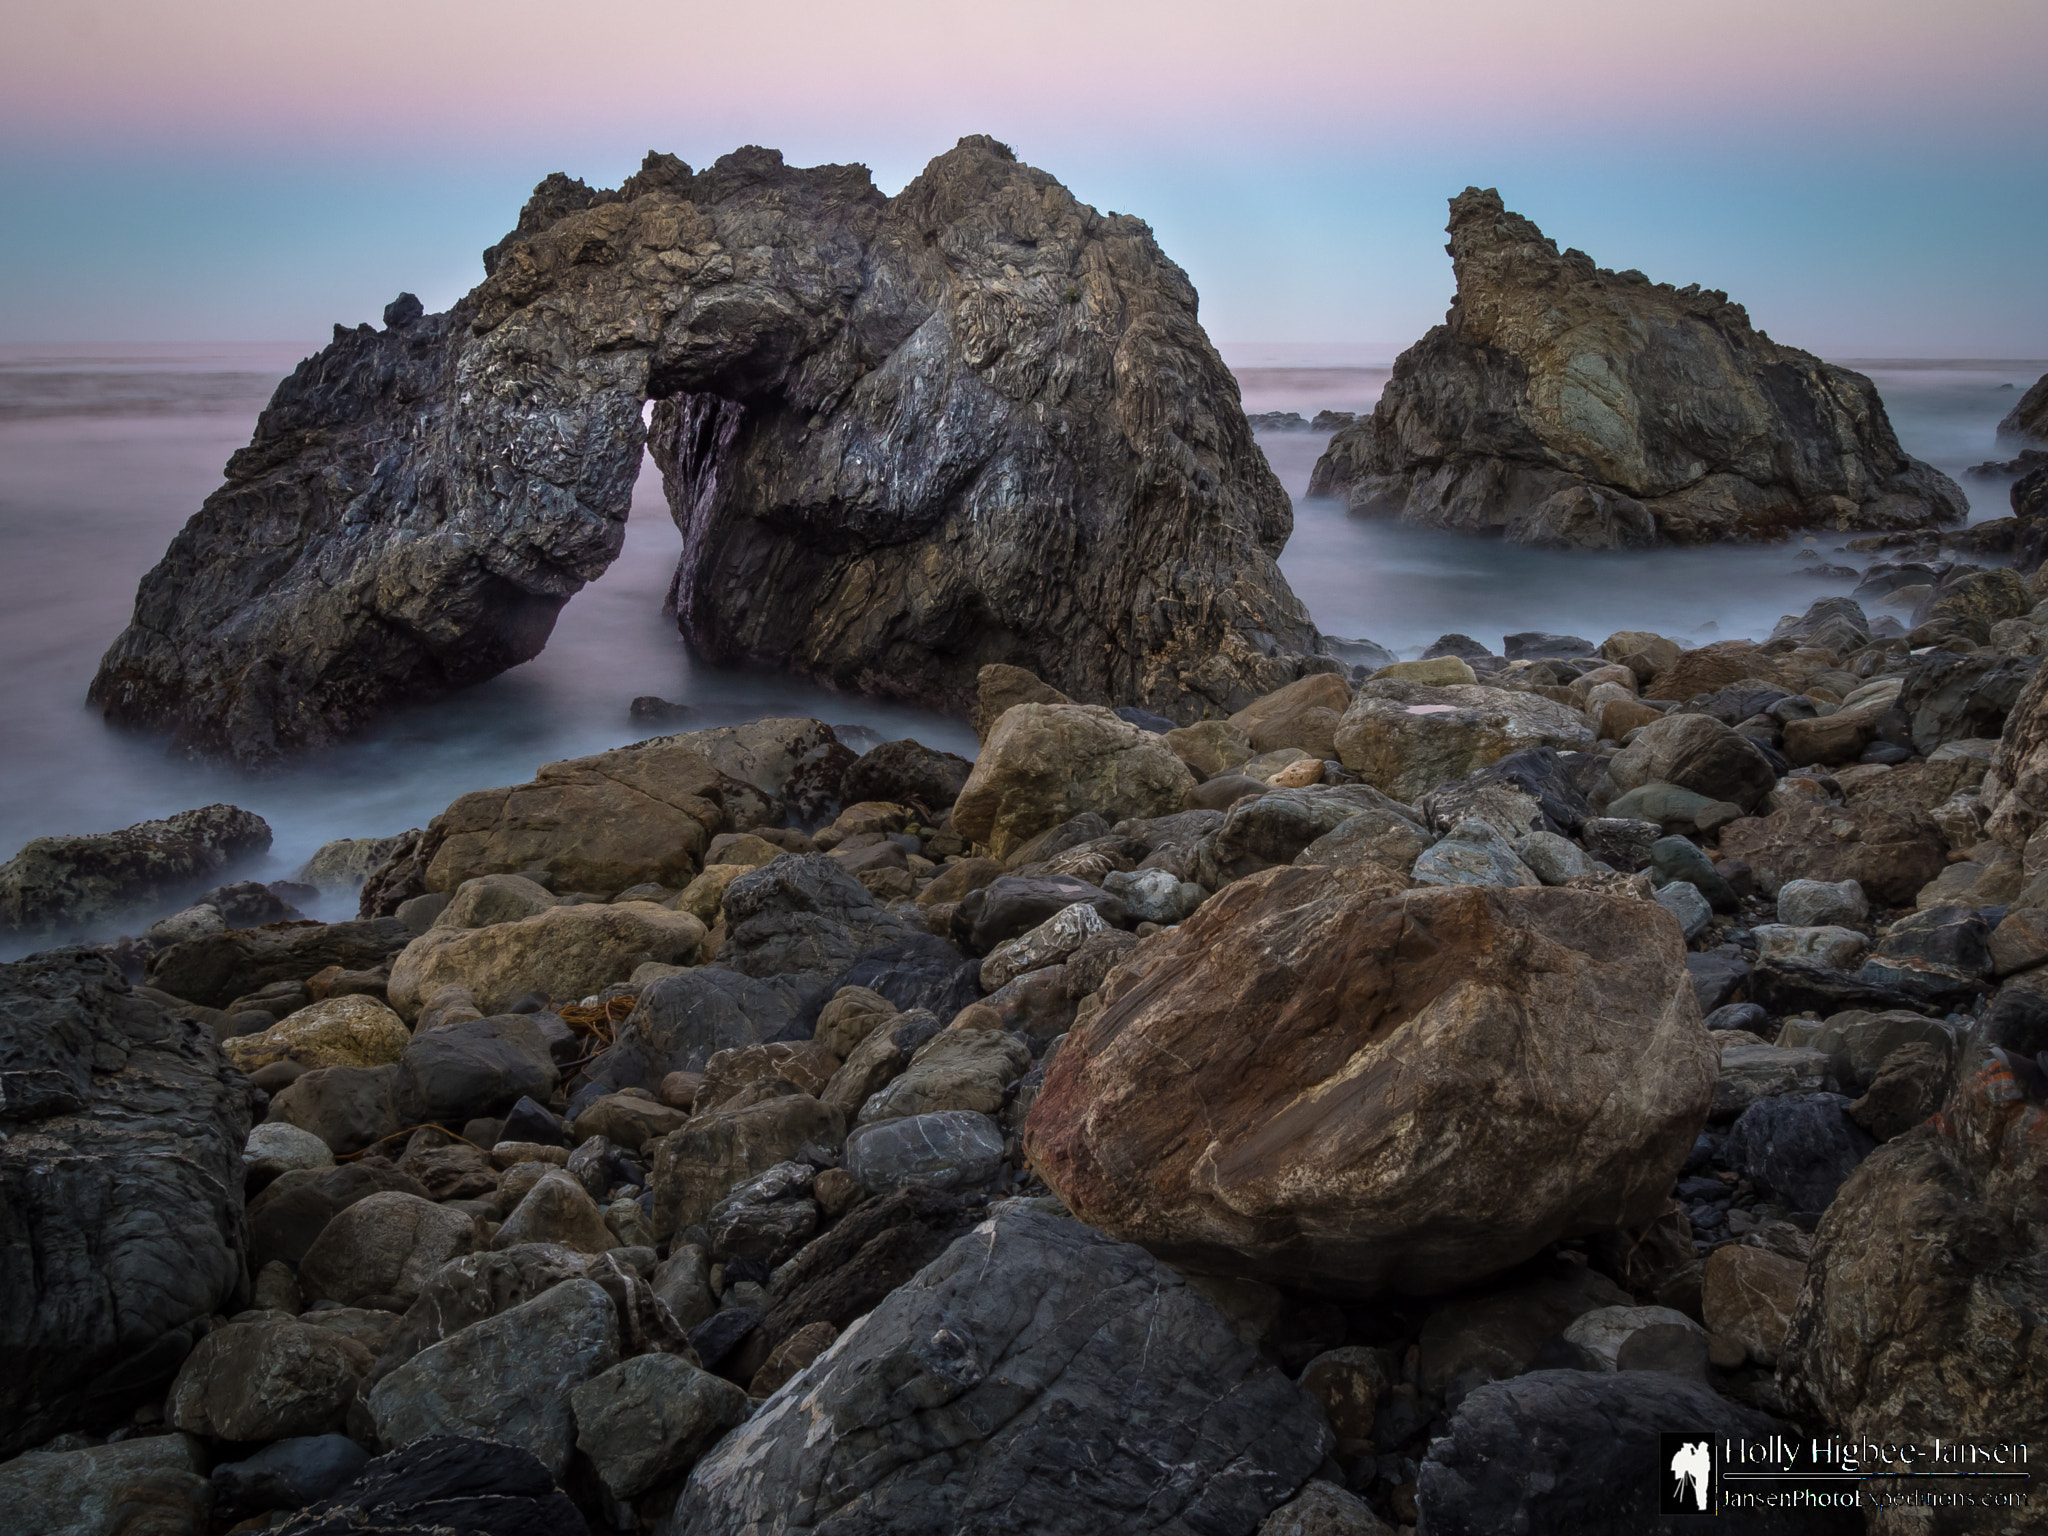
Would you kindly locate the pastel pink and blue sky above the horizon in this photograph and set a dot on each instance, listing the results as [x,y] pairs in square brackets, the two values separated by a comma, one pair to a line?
[1867,175]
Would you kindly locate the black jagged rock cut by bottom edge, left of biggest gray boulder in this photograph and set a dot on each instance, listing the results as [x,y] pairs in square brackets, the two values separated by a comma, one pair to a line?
[456,1484]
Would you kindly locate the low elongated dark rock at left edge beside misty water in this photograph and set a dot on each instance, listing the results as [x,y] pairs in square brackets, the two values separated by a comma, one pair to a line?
[71,882]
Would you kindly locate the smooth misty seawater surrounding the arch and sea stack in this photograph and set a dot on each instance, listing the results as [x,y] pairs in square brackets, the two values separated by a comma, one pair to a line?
[105,452]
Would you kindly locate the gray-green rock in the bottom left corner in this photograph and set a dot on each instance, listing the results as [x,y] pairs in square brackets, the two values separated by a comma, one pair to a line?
[136,1488]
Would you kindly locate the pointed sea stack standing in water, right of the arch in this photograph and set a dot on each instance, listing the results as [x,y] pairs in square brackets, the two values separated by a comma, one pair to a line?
[1564,404]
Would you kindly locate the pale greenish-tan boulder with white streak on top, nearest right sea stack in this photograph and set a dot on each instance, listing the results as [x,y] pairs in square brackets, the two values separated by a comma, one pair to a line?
[1406,738]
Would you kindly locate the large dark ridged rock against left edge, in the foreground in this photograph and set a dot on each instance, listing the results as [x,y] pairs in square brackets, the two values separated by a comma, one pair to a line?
[120,1195]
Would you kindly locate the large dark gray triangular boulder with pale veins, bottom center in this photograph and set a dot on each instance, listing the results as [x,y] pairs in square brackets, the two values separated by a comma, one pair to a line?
[1037,1377]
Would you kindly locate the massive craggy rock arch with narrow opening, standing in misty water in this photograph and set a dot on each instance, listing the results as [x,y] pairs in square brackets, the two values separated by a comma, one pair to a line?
[902,437]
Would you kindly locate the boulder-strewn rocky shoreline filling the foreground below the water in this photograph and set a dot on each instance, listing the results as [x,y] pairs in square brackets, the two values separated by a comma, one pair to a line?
[1385,1109]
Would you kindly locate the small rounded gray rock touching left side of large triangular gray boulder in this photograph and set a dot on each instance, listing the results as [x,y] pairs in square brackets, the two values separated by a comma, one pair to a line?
[650,1418]
